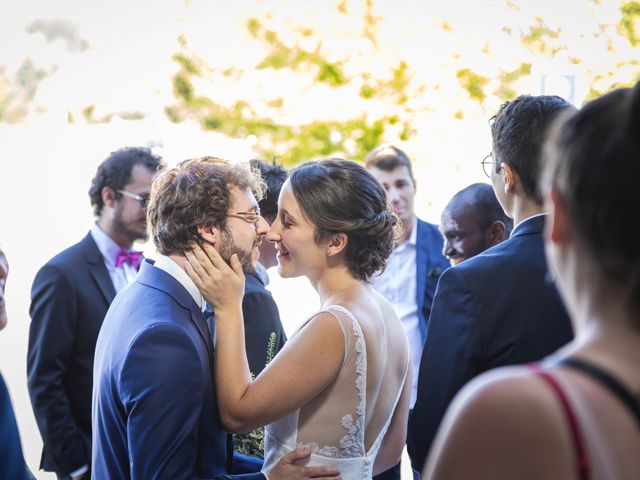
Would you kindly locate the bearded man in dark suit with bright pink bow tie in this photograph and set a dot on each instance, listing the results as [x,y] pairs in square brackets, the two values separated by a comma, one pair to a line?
[69,299]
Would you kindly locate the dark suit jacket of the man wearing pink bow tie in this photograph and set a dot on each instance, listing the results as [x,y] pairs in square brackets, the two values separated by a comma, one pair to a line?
[69,299]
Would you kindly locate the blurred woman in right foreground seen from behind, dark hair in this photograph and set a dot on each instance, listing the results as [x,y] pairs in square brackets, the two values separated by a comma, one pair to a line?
[576,415]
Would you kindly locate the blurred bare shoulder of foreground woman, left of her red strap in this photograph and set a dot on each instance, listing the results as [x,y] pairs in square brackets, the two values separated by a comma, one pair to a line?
[506,419]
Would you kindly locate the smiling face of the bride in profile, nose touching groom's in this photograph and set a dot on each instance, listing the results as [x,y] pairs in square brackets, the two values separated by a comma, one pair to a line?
[298,253]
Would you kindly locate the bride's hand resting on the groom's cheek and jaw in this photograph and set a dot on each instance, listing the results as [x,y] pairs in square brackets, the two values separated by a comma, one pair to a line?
[221,284]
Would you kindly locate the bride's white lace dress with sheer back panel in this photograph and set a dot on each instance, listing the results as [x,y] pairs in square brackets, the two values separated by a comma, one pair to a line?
[339,426]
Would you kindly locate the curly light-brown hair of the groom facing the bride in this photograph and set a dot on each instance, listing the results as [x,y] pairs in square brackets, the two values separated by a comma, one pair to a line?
[195,193]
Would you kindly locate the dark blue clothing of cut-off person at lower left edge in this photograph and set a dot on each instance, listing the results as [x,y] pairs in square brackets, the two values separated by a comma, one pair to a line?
[12,464]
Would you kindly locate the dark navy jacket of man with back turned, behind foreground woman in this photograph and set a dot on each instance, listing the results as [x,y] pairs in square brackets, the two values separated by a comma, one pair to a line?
[497,308]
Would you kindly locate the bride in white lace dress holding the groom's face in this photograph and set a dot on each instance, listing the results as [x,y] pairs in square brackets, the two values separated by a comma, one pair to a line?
[340,387]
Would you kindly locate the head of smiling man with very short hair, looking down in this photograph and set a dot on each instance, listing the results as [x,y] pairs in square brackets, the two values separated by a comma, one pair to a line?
[472,222]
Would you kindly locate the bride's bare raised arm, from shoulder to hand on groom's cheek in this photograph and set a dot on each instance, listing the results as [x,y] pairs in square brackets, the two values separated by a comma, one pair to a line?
[306,365]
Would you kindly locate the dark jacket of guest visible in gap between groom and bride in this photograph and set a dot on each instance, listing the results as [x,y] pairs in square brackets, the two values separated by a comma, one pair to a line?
[264,335]
